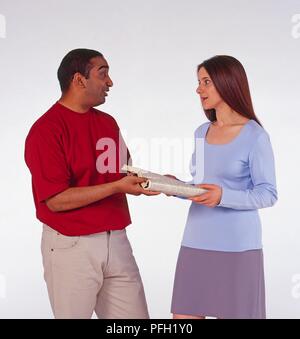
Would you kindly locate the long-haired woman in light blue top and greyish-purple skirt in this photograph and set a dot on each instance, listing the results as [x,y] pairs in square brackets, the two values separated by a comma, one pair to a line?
[220,265]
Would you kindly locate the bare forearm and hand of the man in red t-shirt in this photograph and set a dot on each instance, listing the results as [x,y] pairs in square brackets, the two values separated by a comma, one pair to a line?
[76,197]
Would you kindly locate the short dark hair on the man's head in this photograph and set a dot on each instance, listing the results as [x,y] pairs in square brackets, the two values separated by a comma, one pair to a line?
[77,60]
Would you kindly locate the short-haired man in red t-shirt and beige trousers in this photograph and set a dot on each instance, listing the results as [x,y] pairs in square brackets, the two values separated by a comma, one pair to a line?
[87,258]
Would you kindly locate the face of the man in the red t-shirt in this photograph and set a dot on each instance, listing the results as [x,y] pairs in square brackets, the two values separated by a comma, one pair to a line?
[98,82]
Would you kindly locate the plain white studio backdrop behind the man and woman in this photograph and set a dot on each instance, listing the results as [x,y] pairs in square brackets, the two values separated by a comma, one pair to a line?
[153,48]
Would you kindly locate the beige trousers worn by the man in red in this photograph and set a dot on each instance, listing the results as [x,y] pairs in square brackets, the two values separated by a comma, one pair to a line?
[90,273]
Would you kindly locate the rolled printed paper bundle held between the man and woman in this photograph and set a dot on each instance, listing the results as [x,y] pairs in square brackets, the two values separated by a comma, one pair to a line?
[160,183]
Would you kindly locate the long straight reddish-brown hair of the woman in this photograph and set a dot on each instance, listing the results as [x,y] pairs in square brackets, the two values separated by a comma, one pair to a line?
[230,80]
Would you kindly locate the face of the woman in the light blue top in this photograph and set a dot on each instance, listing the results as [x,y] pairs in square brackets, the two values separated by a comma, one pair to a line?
[210,98]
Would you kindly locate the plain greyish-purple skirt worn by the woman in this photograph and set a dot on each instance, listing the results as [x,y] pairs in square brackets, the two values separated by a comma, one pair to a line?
[226,285]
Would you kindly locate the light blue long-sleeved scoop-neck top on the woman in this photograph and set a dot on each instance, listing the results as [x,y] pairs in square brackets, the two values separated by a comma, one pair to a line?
[244,168]
